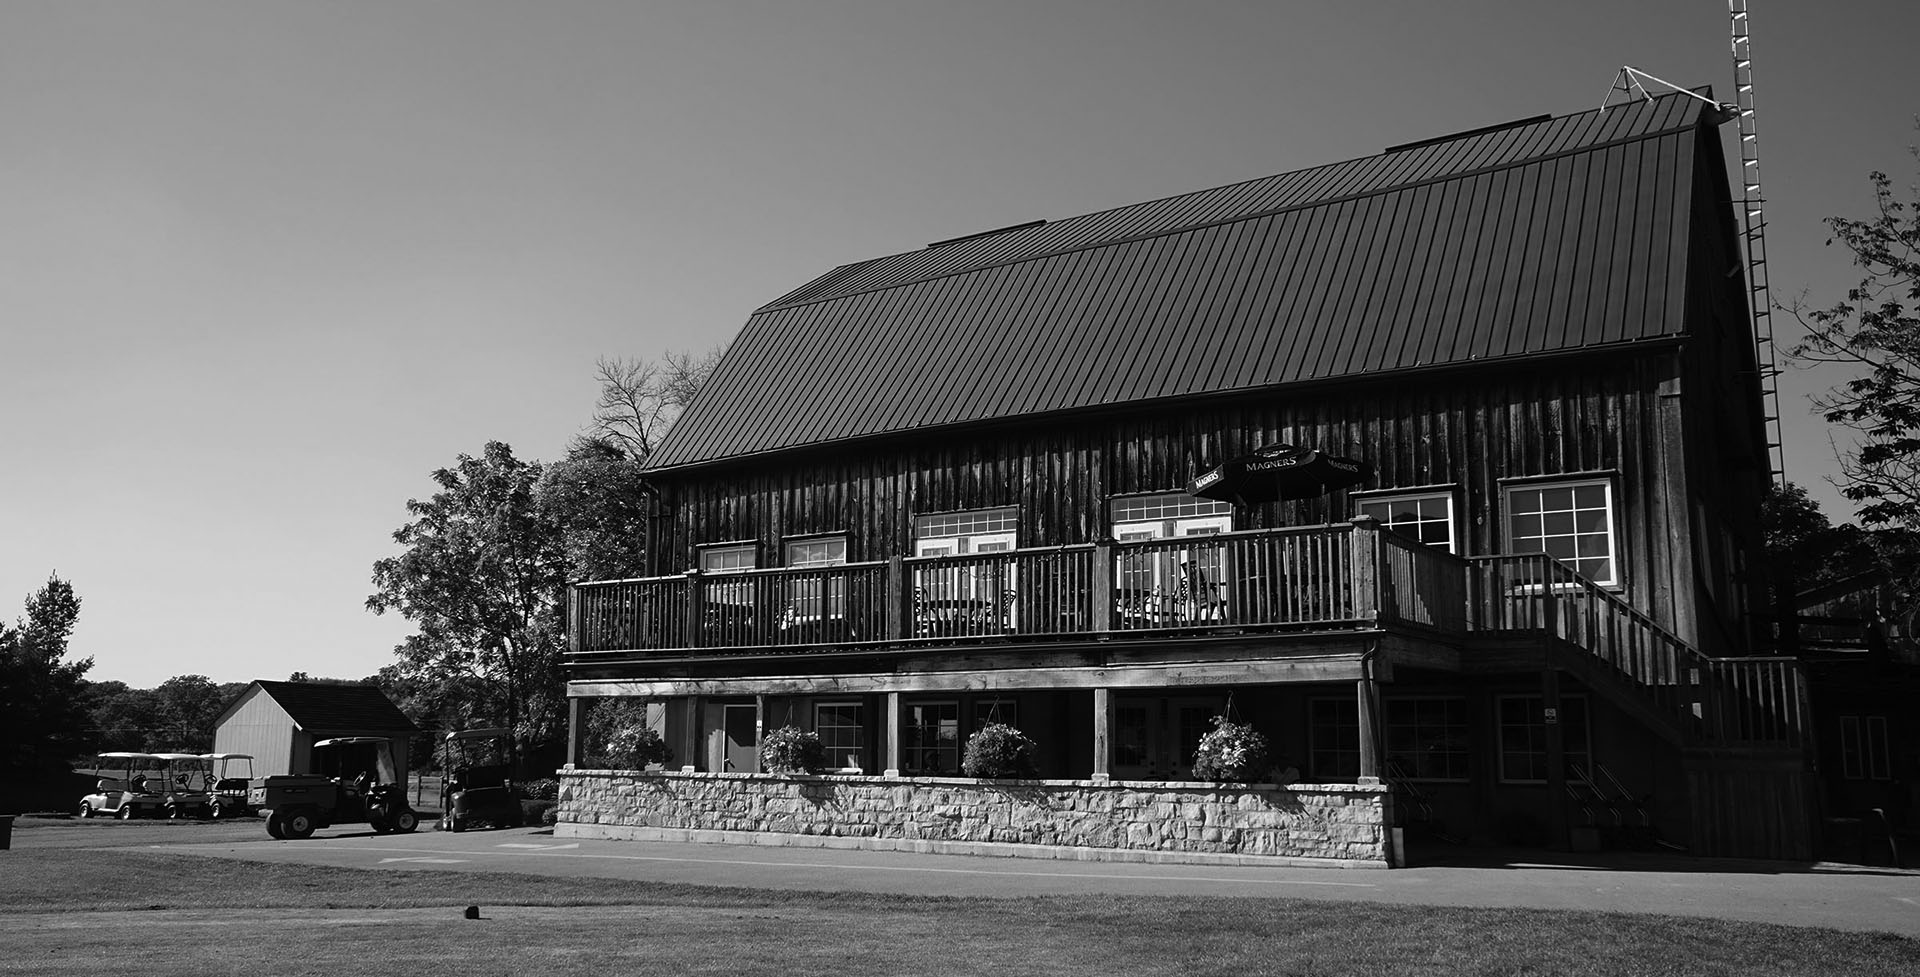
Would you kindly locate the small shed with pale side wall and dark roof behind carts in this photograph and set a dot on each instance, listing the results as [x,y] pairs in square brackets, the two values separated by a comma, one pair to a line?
[277,723]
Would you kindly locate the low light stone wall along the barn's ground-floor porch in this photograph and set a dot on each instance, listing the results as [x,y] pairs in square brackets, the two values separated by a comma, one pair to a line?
[1308,824]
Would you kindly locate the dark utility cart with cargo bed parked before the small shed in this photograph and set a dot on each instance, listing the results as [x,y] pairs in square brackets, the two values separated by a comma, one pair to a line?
[300,803]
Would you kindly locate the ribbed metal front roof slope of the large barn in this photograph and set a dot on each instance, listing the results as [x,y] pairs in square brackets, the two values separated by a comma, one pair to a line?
[1541,237]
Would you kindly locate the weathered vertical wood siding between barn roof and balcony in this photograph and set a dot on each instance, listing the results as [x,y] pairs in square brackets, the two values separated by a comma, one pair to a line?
[1474,429]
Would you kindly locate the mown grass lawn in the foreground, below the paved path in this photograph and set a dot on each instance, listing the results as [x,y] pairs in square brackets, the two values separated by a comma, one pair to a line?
[76,909]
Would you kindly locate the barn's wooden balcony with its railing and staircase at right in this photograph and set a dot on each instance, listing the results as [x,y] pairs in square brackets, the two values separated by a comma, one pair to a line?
[1324,579]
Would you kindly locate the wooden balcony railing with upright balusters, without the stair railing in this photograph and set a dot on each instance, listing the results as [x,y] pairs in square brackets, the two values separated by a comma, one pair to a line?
[1308,579]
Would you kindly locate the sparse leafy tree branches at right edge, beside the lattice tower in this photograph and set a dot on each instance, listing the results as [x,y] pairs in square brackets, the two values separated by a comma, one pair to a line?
[1877,335]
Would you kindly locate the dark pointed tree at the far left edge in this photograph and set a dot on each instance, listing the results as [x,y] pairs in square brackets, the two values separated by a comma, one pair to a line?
[43,717]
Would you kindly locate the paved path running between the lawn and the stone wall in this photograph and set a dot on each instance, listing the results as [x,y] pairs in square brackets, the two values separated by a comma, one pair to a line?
[1842,897]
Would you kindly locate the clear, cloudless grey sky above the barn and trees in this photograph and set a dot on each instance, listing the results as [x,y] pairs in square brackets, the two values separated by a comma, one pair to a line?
[266,266]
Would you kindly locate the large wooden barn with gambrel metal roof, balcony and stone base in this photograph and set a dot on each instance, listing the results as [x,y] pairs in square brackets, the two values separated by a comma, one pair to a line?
[949,487]
